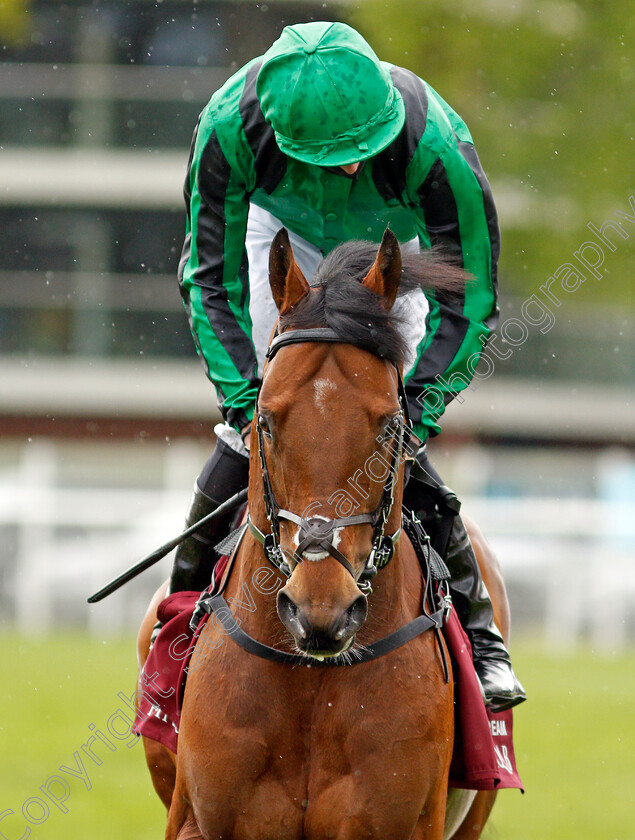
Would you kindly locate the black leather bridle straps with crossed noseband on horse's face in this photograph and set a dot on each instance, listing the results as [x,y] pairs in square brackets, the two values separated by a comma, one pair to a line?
[314,532]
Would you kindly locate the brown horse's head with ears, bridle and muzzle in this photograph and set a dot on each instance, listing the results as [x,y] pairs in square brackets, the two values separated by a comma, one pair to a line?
[330,430]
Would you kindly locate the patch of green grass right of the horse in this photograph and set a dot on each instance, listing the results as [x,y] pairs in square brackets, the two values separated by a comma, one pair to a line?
[574,741]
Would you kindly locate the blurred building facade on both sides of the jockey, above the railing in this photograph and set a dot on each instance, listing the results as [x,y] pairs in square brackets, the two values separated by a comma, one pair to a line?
[98,101]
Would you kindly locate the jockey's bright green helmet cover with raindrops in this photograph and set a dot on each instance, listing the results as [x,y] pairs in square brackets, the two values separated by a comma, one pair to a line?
[328,98]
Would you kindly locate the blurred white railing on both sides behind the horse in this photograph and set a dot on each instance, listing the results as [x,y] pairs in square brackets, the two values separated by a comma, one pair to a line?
[569,564]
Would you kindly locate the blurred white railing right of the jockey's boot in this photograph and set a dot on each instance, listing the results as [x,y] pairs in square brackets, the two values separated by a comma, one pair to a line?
[569,565]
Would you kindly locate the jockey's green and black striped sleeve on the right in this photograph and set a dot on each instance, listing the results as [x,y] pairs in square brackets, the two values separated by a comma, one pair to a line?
[454,208]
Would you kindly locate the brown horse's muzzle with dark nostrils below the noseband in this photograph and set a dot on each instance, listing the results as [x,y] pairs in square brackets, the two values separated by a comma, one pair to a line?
[320,629]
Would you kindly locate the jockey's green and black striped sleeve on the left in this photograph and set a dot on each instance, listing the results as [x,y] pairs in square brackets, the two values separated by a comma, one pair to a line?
[213,272]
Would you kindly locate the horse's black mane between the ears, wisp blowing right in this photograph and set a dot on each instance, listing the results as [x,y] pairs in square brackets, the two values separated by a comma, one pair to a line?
[339,301]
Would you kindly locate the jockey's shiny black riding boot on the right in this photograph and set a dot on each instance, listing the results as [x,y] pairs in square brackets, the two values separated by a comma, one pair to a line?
[492,663]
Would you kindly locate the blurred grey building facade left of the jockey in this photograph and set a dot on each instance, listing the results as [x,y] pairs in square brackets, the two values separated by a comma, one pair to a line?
[98,102]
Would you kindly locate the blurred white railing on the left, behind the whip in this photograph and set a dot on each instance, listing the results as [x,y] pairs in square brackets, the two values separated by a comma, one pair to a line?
[64,542]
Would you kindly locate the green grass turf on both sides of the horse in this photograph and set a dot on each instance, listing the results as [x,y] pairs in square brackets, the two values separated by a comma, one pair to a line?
[574,743]
